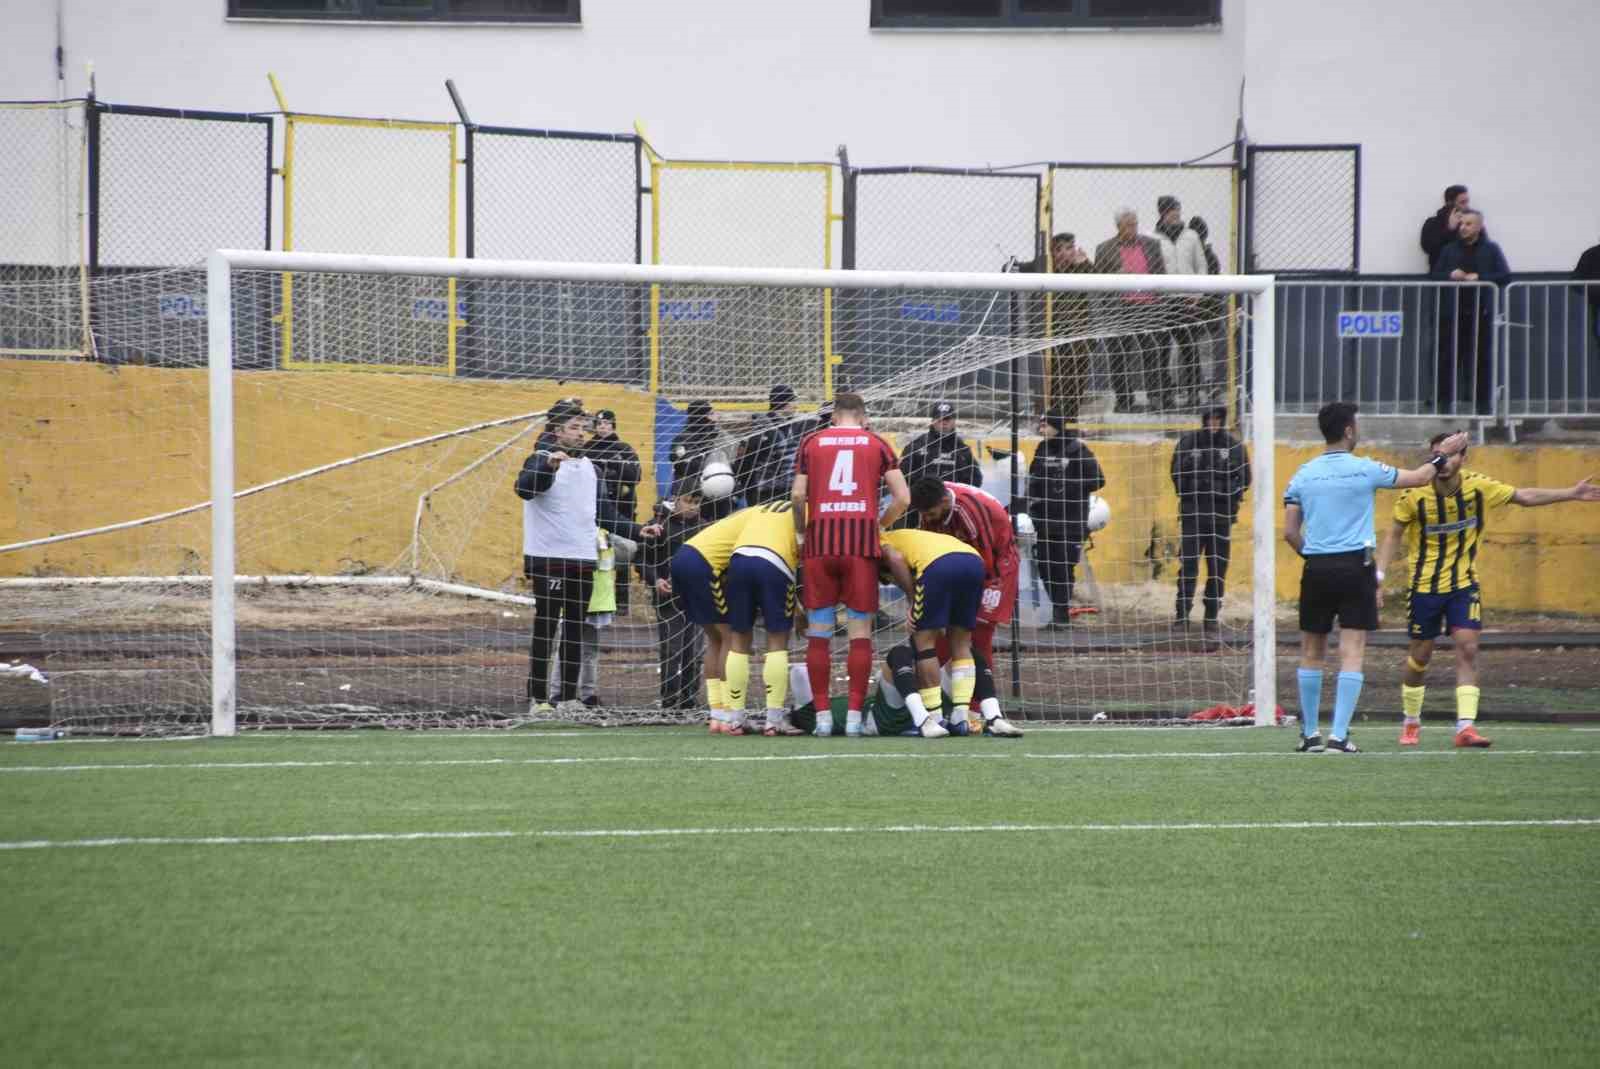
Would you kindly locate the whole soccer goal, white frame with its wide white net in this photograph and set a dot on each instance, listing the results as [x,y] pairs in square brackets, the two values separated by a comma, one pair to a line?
[218,537]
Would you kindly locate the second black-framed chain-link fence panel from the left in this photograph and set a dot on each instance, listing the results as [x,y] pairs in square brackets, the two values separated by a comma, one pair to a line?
[548,194]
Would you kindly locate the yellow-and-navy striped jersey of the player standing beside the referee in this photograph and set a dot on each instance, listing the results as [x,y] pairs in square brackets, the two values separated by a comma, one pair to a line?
[1442,530]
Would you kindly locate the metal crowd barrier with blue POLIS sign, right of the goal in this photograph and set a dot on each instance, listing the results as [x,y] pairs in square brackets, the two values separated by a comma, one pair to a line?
[1393,348]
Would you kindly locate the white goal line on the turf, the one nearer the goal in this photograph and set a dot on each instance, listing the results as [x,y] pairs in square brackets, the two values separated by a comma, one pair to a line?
[753,759]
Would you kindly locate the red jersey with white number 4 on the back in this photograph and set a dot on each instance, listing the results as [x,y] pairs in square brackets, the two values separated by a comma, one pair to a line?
[844,470]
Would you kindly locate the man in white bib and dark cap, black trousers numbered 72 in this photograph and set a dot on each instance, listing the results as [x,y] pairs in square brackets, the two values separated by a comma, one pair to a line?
[559,490]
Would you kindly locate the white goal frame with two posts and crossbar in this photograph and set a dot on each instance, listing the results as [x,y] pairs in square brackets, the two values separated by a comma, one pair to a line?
[900,383]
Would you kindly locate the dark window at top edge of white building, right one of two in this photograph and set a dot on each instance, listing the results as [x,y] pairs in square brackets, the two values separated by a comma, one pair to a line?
[1046,14]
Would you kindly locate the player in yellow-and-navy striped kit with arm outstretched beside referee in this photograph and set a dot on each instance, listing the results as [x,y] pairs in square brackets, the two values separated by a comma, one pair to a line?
[1442,527]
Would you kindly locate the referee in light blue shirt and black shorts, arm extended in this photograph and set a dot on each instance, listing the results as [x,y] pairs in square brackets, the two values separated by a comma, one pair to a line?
[1329,521]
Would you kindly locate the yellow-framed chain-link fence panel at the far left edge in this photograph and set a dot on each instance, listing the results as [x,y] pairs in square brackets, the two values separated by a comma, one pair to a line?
[42,222]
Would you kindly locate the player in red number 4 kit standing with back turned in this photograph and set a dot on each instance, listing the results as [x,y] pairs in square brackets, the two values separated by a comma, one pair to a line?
[838,476]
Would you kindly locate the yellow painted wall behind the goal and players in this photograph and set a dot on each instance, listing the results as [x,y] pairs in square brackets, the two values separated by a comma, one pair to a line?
[86,446]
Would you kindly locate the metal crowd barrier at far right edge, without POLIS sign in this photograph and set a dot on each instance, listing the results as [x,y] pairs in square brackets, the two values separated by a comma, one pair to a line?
[1551,348]
